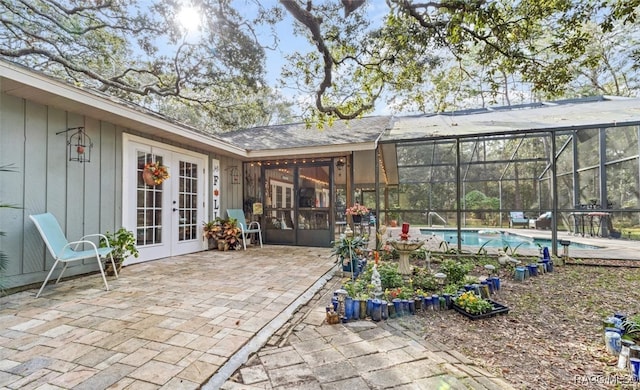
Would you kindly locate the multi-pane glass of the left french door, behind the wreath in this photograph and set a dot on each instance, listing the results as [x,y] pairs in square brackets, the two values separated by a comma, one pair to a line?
[148,204]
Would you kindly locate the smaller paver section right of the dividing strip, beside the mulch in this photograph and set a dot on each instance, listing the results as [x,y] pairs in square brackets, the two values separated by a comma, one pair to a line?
[360,355]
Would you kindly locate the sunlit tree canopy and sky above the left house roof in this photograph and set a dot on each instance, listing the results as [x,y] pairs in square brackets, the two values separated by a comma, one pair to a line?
[139,52]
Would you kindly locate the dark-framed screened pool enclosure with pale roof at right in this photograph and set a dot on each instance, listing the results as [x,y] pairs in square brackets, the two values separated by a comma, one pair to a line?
[568,166]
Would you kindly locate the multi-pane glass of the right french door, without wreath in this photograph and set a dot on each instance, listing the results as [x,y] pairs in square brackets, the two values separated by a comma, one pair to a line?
[188,200]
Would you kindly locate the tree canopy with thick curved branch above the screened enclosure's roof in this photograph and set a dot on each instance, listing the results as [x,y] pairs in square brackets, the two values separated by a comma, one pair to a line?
[474,49]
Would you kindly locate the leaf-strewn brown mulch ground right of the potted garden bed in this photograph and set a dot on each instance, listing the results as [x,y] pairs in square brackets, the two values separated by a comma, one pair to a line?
[552,337]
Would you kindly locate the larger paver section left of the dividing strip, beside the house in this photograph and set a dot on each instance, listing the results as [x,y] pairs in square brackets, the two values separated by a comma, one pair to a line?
[170,323]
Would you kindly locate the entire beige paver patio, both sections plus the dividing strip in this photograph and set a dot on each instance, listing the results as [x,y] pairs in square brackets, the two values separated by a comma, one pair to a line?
[234,320]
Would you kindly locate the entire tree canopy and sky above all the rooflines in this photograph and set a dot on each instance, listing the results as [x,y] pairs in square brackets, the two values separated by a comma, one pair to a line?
[420,56]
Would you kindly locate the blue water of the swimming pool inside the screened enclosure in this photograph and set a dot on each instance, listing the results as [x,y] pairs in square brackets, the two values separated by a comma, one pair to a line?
[496,239]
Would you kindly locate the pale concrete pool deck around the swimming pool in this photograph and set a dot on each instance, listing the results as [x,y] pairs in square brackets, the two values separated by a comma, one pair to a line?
[611,248]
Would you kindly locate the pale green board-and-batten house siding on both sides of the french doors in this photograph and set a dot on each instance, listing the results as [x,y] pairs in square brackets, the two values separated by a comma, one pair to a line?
[86,198]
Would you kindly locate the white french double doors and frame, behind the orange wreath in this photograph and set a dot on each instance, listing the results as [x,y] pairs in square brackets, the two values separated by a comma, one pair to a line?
[166,218]
